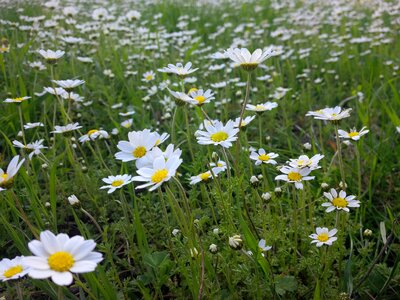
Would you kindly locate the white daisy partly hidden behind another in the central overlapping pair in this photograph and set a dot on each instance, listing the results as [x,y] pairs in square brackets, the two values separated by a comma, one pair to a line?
[140,142]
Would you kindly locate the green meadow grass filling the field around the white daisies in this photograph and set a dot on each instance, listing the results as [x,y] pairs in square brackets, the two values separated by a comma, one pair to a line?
[142,259]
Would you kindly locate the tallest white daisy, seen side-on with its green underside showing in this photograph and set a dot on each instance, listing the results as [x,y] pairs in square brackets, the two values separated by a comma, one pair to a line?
[247,60]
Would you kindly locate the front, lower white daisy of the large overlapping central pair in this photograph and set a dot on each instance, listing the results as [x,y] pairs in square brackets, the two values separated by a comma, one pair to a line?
[160,172]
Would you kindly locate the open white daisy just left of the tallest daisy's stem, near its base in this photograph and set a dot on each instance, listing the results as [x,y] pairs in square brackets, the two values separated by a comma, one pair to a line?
[218,134]
